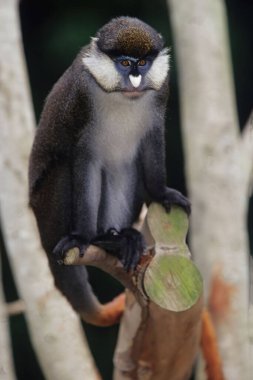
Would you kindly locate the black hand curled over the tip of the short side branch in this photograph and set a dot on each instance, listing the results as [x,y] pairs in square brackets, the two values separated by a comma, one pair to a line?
[66,243]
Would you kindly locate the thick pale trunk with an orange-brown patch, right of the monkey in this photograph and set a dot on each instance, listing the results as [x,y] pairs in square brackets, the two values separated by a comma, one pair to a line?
[218,166]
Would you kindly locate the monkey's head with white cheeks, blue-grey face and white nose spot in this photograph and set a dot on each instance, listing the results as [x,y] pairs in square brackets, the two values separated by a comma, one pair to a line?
[127,55]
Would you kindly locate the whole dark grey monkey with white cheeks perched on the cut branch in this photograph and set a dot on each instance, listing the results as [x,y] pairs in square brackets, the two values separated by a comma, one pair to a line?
[99,152]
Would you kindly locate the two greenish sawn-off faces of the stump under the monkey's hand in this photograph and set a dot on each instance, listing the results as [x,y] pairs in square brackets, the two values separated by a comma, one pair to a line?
[171,280]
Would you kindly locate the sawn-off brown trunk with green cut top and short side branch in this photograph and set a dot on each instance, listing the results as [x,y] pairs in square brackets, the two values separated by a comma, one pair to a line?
[167,288]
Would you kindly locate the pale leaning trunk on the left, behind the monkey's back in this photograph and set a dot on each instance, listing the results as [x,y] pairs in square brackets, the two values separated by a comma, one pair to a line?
[52,323]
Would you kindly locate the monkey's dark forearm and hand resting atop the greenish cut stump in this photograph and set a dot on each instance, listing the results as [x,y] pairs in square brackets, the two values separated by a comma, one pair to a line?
[154,171]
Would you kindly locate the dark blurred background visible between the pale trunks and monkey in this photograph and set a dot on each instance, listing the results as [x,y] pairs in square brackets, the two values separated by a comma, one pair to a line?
[53,33]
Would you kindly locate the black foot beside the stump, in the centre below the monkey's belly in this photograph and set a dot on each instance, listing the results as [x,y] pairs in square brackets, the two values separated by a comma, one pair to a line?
[128,245]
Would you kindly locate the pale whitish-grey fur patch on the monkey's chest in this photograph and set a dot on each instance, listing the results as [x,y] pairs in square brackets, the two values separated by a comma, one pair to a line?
[119,131]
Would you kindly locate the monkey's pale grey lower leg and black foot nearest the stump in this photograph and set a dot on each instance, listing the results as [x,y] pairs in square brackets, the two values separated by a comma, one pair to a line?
[121,203]
